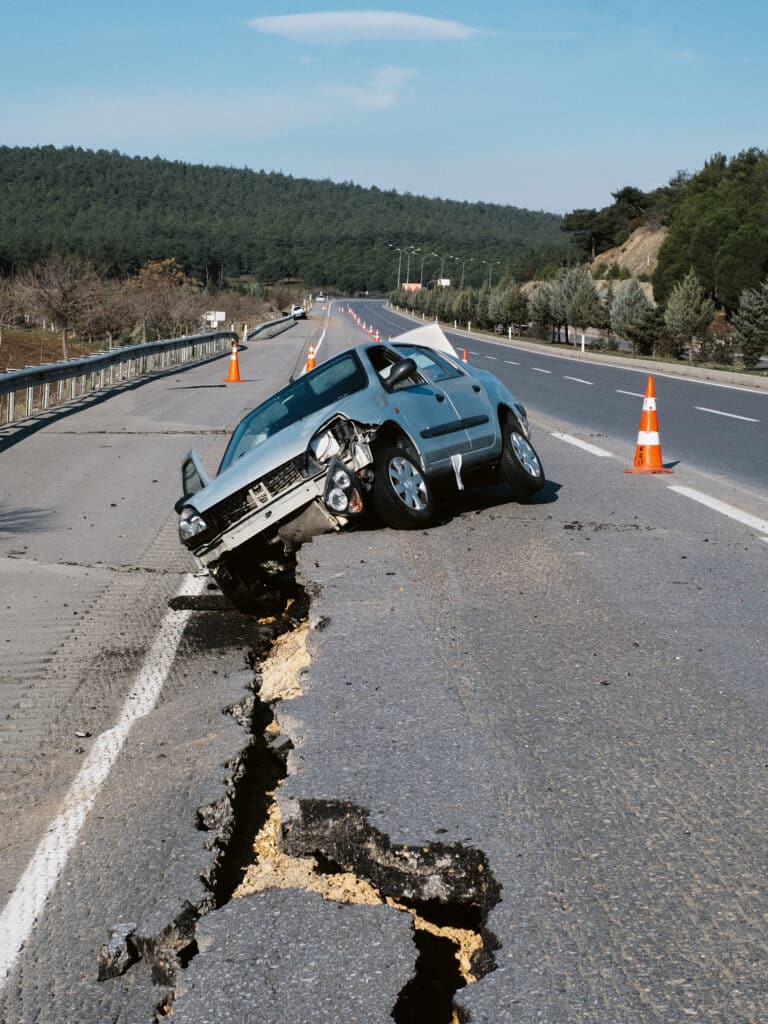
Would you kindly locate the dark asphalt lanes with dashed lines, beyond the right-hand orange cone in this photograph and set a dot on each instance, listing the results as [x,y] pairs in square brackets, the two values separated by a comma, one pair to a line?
[718,430]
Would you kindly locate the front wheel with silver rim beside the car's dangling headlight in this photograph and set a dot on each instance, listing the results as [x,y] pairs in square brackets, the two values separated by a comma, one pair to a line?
[403,495]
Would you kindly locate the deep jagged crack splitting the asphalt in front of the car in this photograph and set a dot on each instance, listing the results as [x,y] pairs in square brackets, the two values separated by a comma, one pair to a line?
[324,847]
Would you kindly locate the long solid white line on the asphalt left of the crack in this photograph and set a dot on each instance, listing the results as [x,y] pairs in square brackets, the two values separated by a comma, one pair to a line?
[37,883]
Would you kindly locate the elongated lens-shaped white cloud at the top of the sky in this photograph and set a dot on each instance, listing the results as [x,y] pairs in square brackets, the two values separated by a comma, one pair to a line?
[357,26]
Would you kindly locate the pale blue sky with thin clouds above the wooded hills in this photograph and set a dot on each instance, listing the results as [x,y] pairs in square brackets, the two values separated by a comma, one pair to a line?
[548,105]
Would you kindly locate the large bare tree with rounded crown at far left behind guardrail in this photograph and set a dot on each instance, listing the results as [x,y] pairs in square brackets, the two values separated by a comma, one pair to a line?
[63,289]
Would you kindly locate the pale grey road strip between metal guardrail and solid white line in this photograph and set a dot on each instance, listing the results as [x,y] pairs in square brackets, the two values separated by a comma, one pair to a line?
[90,558]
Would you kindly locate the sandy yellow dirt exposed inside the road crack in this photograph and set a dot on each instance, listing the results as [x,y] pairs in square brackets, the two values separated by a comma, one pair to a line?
[275,870]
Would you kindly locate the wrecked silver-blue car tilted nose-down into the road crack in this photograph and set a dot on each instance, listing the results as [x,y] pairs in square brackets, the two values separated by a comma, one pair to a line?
[372,429]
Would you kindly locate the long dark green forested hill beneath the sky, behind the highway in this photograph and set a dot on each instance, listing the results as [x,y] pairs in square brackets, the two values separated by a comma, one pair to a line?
[222,223]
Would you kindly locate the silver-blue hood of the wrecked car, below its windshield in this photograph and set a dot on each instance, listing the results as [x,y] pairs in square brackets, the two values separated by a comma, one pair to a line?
[275,452]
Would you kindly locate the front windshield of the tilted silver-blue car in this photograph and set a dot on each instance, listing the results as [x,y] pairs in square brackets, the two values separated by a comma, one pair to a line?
[328,385]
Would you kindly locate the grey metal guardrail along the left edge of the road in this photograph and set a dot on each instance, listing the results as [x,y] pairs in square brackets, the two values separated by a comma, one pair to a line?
[42,388]
